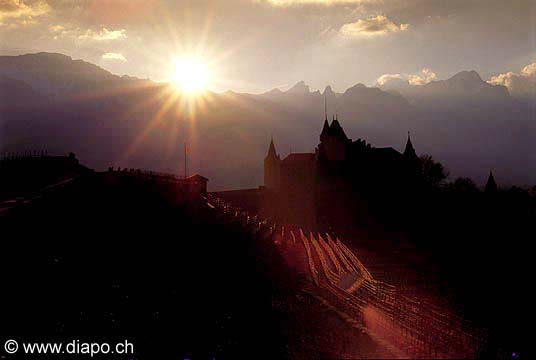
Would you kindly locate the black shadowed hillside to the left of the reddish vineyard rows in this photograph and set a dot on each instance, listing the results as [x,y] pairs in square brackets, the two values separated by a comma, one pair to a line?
[100,262]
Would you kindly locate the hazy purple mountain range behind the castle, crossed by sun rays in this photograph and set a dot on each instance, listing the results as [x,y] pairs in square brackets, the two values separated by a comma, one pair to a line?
[50,101]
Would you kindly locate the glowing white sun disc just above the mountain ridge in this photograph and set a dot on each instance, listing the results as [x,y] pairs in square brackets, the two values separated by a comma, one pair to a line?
[191,76]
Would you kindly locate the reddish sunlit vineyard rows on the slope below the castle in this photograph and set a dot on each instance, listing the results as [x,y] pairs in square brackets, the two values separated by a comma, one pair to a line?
[403,325]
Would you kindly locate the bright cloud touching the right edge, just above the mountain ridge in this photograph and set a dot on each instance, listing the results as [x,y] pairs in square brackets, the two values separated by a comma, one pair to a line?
[520,84]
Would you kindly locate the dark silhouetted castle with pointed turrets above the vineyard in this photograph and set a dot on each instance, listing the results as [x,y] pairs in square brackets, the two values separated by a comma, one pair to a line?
[324,187]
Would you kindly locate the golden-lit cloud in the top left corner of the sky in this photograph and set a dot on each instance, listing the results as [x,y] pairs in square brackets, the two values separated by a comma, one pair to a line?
[19,12]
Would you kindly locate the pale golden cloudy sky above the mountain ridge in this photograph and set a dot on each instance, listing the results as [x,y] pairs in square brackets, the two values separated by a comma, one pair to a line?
[257,45]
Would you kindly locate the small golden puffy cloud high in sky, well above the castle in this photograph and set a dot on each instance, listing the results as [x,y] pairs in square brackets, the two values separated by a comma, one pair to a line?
[371,27]
